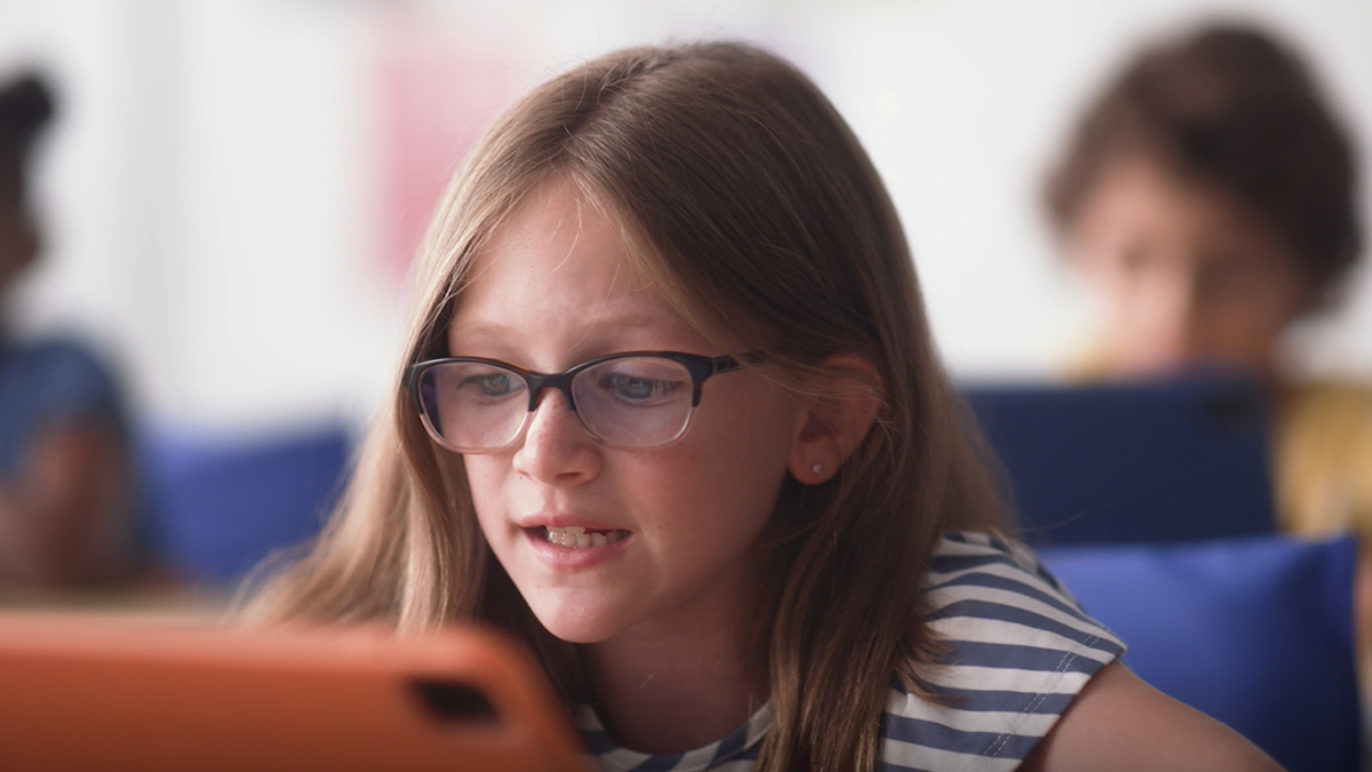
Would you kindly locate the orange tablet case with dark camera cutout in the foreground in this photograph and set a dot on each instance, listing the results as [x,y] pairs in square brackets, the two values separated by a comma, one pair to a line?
[101,695]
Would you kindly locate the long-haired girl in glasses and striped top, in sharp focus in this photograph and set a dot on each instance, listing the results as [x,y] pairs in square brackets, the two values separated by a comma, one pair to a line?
[672,415]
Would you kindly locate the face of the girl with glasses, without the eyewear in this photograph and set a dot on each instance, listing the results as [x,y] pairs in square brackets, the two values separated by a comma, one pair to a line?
[554,289]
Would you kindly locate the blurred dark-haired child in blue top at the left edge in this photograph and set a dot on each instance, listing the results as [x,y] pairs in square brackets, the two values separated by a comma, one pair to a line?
[67,483]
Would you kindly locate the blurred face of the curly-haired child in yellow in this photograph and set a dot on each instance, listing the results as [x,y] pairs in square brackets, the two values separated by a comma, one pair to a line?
[1186,275]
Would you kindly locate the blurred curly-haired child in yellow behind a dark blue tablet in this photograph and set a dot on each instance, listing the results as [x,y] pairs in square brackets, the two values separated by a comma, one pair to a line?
[1209,195]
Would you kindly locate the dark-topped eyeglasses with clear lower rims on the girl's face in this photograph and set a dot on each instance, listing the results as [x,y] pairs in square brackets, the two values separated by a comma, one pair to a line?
[637,400]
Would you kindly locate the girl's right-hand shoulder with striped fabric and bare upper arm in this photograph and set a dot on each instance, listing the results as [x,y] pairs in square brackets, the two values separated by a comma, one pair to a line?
[1032,682]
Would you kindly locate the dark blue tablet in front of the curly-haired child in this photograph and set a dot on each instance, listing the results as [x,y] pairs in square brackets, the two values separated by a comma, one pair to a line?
[1146,463]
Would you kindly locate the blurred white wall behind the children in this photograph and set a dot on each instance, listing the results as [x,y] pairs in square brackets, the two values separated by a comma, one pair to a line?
[212,186]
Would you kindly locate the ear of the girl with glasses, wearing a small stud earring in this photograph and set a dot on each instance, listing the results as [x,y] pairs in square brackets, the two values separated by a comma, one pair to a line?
[840,411]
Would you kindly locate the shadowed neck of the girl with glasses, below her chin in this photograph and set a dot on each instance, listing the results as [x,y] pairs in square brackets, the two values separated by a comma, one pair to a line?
[672,690]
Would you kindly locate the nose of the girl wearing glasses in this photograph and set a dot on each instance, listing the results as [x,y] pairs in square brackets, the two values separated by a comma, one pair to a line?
[556,448]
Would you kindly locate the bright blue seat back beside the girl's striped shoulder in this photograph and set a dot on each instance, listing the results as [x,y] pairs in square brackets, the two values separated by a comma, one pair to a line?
[1256,633]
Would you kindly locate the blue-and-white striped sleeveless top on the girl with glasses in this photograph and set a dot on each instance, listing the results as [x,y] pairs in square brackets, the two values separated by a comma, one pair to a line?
[1020,649]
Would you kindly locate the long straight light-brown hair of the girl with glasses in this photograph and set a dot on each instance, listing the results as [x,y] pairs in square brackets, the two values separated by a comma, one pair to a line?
[757,212]
